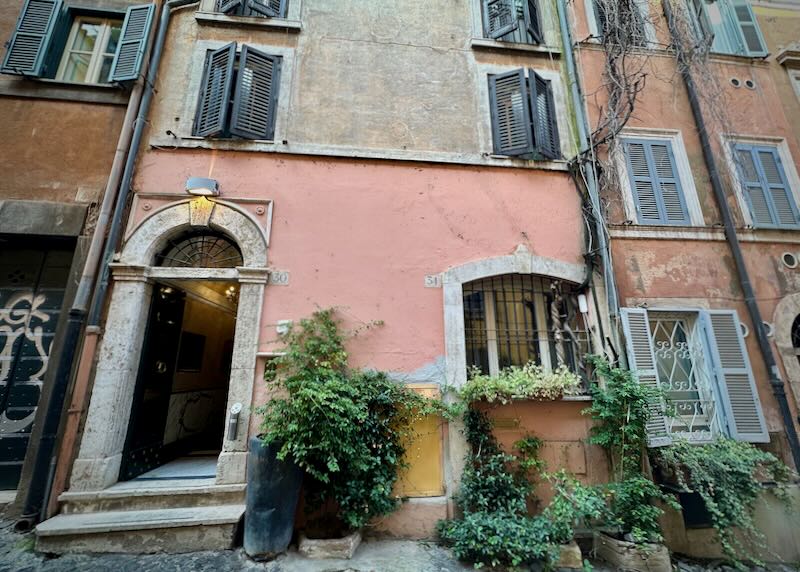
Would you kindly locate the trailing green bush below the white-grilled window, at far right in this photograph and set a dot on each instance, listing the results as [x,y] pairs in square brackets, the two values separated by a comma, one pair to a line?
[727,475]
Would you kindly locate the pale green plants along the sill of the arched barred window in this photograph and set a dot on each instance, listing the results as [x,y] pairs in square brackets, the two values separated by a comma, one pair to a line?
[530,381]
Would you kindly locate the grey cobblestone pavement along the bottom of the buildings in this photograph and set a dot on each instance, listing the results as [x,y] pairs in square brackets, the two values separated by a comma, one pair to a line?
[17,555]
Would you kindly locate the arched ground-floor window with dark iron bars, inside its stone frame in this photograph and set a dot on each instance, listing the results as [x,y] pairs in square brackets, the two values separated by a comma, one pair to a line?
[514,319]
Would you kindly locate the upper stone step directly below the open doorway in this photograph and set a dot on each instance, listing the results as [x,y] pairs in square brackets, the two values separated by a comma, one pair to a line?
[133,495]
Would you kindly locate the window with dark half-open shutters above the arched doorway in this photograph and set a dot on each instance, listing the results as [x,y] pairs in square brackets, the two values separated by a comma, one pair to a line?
[238,94]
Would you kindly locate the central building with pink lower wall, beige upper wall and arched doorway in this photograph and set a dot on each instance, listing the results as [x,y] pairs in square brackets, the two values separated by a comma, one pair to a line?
[404,169]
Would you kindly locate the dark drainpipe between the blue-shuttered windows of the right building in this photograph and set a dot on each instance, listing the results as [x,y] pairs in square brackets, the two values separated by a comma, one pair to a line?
[778,388]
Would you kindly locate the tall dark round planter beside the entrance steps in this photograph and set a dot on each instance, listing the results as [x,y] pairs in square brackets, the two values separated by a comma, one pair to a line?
[273,487]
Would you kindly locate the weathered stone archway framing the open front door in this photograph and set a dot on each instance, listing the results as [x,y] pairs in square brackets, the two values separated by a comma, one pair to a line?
[100,455]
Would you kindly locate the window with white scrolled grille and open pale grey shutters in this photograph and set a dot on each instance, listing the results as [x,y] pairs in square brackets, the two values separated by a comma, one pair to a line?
[699,360]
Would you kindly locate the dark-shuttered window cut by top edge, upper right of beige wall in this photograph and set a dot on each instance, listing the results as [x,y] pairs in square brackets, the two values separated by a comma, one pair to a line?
[517,21]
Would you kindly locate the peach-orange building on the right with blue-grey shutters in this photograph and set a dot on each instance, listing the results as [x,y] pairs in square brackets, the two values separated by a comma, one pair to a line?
[682,291]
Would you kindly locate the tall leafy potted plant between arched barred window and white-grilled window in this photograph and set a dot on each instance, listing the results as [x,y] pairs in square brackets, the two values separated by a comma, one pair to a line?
[632,539]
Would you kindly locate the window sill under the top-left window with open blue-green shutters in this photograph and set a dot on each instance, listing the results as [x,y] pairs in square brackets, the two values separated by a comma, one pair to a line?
[60,90]
